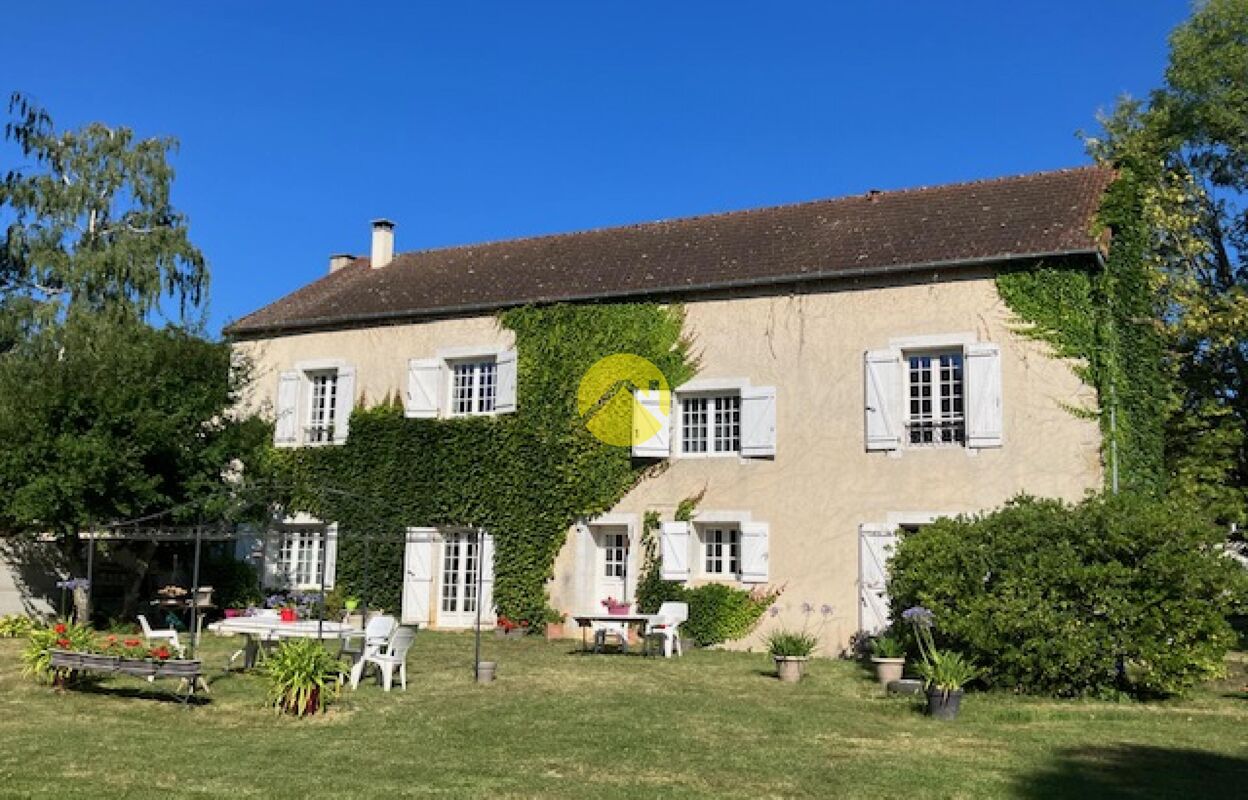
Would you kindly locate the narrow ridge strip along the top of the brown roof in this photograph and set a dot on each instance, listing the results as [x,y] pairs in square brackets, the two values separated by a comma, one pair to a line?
[742,213]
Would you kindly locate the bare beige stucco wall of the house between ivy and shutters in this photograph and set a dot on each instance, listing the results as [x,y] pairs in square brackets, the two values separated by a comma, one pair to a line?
[823,484]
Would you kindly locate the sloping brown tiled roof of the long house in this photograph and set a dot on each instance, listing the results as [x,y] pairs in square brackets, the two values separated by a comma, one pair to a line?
[1029,217]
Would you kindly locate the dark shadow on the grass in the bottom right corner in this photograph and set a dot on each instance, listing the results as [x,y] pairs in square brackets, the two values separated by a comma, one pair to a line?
[1139,772]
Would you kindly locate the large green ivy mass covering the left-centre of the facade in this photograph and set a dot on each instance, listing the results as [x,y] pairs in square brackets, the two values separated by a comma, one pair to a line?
[526,477]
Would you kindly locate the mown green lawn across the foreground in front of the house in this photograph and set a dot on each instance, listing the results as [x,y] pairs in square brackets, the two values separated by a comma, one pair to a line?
[561,724]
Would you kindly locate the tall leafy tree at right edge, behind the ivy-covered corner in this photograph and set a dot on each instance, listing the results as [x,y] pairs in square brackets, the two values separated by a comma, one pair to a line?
[1186,150]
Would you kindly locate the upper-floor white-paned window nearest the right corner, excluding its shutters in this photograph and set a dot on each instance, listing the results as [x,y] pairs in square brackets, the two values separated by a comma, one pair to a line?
[935,394]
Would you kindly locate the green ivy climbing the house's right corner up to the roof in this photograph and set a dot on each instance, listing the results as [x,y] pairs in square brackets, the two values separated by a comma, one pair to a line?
[1106,320]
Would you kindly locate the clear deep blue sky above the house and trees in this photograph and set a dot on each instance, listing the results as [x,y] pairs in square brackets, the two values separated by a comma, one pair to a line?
[477,122]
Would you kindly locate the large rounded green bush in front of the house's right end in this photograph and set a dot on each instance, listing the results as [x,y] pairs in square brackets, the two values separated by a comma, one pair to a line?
[1114,596]
